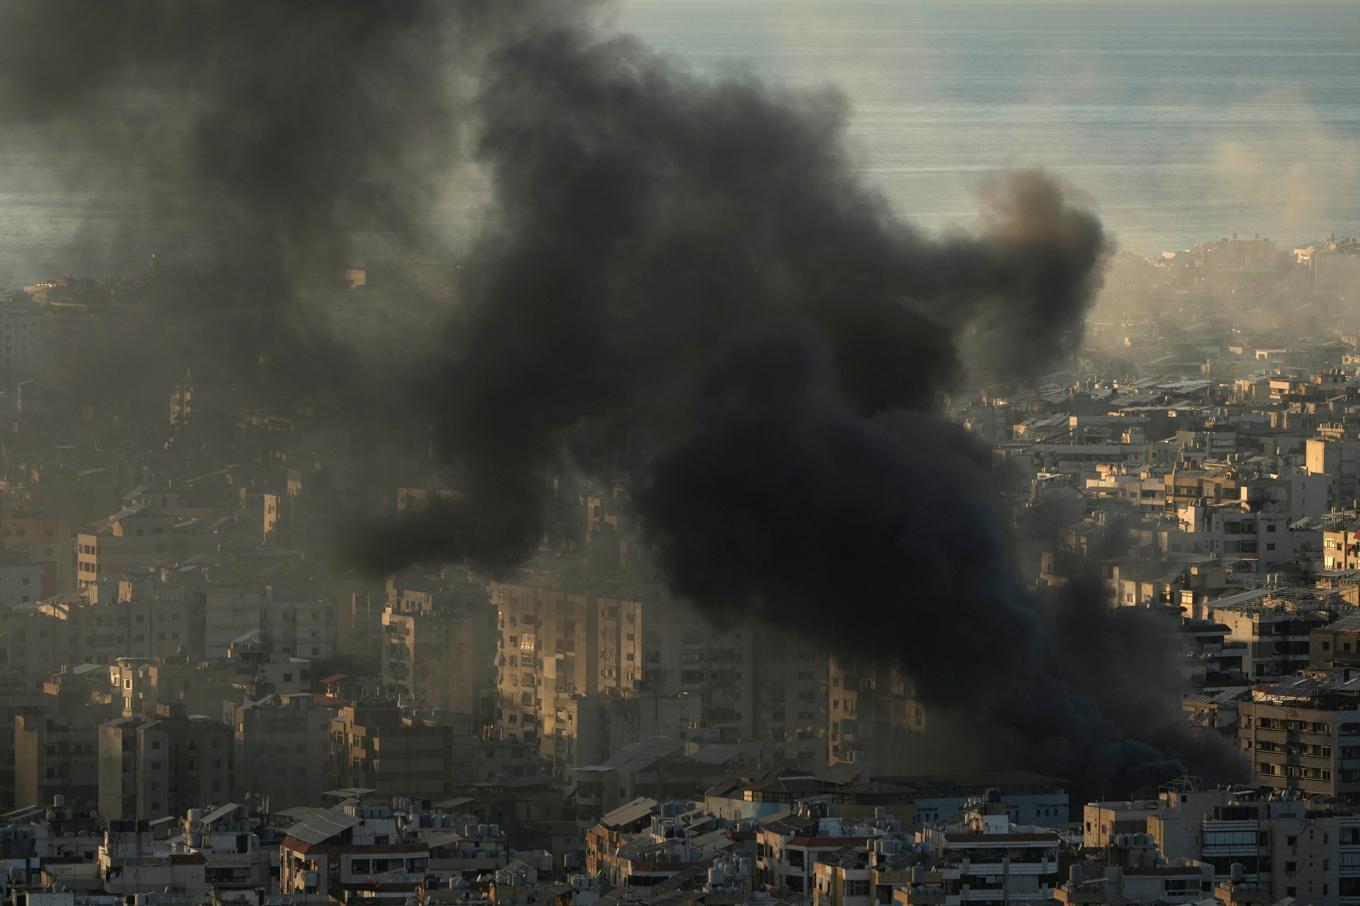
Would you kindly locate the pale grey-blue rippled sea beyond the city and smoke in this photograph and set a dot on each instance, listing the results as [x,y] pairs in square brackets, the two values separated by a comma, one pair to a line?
[1180,123]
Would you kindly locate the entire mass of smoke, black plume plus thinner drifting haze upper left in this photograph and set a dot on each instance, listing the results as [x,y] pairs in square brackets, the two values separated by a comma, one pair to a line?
[679,278]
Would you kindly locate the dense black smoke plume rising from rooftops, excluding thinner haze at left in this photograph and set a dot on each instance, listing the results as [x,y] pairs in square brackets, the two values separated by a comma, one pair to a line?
[694,270]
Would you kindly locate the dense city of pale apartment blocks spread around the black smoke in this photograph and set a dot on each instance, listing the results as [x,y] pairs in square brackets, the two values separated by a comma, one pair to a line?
[206,704]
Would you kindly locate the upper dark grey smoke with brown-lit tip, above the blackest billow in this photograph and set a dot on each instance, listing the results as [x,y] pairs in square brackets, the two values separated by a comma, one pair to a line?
[647,218]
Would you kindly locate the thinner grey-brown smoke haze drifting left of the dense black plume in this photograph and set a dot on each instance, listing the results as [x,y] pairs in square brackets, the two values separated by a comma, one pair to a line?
[259,148]
